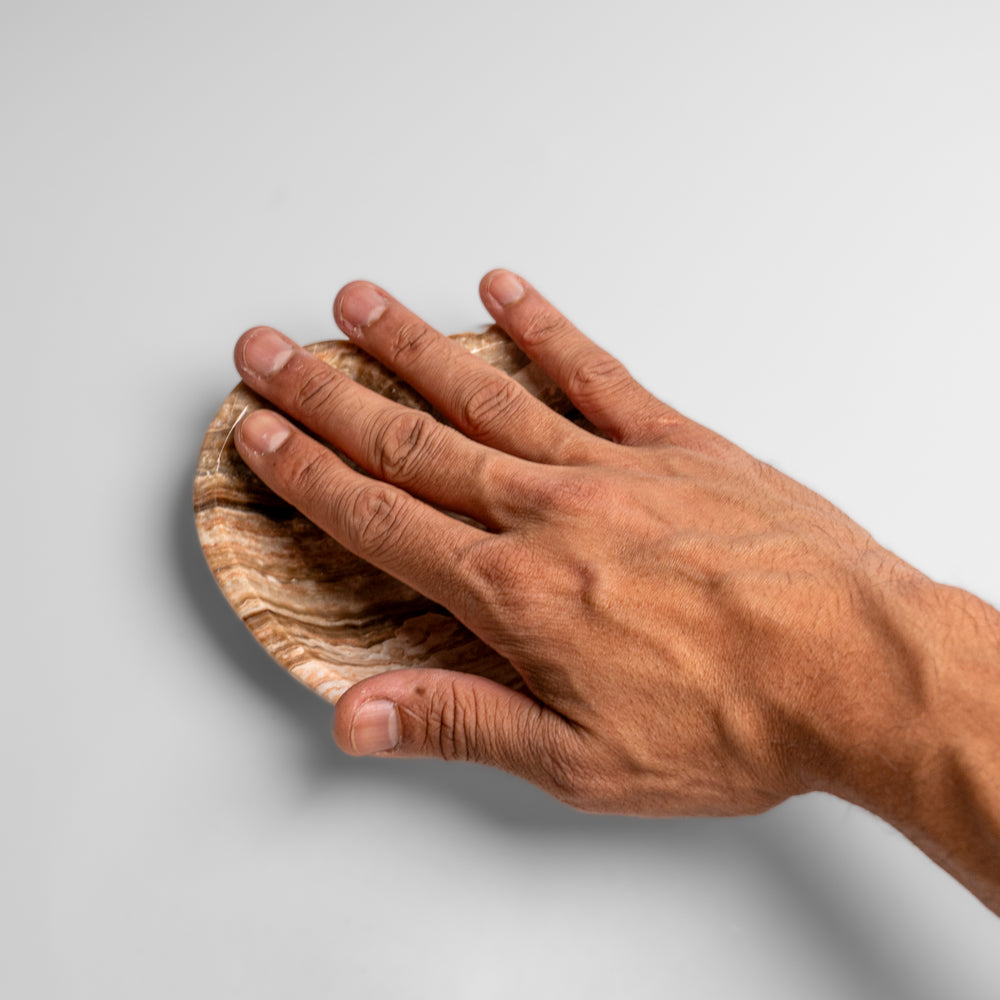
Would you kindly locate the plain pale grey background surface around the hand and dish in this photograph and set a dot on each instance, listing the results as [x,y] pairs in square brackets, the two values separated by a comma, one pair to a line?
[784,216]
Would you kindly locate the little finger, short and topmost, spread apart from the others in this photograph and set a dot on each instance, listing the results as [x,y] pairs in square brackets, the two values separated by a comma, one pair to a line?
[598,384]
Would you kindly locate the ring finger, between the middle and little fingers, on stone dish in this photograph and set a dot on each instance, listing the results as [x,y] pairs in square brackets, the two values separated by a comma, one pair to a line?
[486,404]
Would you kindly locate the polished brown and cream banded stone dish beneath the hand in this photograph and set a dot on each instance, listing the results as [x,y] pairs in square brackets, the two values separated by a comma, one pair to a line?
[326,616]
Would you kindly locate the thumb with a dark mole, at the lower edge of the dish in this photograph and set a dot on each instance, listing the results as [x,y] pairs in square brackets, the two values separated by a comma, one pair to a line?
[458,716]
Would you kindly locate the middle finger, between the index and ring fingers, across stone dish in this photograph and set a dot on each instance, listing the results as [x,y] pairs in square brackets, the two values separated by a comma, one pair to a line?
[396,443]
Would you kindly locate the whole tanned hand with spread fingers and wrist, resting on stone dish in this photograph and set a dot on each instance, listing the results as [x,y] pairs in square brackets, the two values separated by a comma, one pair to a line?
[697,633]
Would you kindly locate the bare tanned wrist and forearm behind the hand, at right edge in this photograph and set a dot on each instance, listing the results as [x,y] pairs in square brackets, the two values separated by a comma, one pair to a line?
[932,767]
